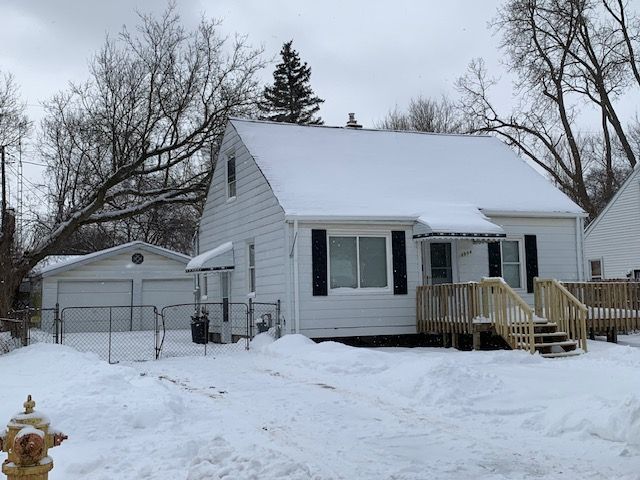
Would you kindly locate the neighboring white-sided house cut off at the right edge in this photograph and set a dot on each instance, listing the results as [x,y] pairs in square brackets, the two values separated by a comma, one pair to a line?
[612,240]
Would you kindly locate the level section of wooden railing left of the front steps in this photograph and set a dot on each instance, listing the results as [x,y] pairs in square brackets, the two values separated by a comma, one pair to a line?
[448,308]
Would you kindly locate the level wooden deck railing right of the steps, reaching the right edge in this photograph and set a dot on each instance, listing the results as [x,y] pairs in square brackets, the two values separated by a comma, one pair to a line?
[610,305]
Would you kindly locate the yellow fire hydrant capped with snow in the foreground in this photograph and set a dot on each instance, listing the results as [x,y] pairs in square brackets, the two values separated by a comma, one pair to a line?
[27,441]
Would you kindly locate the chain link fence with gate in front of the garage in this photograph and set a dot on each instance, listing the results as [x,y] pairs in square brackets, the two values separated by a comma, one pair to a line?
[142,332]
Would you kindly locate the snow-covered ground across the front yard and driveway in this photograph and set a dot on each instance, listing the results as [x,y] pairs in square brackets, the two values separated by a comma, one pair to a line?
[296,410]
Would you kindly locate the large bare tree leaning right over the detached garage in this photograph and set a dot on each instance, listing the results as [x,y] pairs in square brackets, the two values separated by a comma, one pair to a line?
[136,136]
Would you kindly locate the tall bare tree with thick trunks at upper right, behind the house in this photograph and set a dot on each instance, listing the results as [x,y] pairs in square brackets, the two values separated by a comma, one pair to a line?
[569,58]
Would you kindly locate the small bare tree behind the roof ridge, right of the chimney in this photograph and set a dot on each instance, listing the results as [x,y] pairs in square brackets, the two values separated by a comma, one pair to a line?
[427,115]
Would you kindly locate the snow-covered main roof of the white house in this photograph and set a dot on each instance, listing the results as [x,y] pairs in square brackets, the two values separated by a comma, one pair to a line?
[334,171]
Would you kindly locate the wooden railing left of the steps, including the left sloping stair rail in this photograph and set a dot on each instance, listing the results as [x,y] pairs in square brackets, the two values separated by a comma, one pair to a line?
[452,308]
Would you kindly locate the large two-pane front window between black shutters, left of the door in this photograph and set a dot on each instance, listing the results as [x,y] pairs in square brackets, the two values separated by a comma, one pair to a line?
[358,262]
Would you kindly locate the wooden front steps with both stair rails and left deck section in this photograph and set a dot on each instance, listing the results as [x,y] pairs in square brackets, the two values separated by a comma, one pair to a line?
[556,327]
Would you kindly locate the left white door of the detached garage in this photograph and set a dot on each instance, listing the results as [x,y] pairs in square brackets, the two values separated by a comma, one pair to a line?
[93,293]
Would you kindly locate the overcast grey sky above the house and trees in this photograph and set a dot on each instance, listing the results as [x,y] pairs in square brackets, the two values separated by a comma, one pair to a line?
[366,56]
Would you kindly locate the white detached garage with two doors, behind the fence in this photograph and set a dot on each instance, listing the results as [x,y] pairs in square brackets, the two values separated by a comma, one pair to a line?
[135,273]
